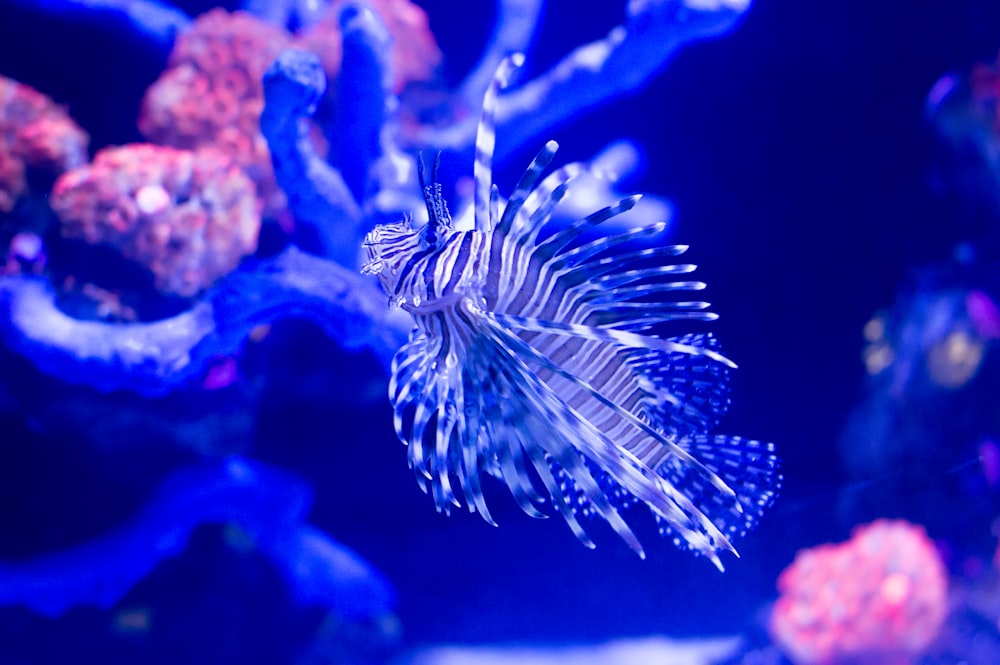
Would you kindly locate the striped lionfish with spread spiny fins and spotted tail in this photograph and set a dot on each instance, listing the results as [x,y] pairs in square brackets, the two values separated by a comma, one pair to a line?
[537,357]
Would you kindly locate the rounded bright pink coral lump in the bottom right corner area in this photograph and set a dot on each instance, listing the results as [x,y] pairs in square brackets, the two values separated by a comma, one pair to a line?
[880,597]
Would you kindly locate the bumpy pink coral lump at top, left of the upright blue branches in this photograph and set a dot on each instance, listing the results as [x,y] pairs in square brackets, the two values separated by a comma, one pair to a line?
[211,94]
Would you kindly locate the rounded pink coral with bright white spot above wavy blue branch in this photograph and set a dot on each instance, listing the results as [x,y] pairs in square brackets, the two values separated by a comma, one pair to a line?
[187,216]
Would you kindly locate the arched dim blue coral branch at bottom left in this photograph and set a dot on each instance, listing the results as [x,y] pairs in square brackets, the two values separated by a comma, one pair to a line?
[268,505]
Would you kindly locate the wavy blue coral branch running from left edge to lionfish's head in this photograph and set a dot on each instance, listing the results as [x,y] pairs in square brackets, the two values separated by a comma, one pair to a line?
[163,356]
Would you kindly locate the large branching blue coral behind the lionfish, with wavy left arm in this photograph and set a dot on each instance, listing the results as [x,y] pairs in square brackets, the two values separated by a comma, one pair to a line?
[159,357]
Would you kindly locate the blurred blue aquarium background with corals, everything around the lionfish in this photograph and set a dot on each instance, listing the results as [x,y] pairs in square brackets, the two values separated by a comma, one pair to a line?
[197,455]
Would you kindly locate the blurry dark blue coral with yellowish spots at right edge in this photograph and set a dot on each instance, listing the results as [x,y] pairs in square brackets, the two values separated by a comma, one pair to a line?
[932,365]
